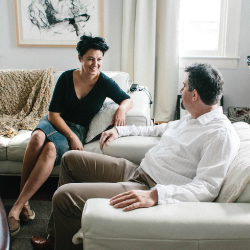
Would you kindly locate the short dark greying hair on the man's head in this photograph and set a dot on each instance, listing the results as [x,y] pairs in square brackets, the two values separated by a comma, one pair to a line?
[207,80]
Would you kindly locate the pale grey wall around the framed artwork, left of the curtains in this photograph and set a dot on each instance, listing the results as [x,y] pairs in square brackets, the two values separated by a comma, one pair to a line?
[12,56]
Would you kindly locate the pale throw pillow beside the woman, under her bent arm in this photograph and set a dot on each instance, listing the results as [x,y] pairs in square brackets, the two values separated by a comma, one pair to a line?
[101,120]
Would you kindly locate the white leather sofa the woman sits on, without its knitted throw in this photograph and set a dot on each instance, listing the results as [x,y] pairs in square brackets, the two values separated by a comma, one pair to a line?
[12,150]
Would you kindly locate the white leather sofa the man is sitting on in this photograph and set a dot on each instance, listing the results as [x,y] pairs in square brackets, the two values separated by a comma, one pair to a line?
[218,225]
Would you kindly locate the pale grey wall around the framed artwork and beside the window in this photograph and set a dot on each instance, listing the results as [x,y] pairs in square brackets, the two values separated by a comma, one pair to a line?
[237,82]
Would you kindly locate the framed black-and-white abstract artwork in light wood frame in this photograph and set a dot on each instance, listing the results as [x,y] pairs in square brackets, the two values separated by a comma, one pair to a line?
[57,23]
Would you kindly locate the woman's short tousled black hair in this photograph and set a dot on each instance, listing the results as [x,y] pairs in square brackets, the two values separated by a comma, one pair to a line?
[90,42]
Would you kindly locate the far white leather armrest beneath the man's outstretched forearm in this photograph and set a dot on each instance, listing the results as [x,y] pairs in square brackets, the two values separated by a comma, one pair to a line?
[132,148]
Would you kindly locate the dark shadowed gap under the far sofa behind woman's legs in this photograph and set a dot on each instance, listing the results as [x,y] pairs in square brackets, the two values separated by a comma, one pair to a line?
[10,185]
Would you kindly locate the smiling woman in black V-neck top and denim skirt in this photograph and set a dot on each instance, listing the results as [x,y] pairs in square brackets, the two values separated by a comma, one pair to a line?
[78,96]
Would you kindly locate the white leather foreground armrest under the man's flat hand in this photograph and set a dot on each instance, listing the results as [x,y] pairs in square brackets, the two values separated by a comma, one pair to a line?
[175,226]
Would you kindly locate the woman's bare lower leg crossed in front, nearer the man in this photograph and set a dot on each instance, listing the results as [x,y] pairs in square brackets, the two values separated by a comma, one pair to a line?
[38,175]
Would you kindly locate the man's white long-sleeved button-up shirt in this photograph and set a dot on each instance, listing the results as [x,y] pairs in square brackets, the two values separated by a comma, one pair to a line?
[192,158]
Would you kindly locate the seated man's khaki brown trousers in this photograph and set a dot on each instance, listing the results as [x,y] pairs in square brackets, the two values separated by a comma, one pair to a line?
[83,176]
